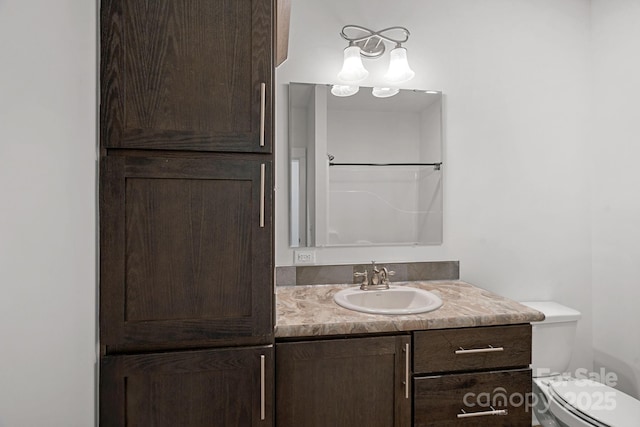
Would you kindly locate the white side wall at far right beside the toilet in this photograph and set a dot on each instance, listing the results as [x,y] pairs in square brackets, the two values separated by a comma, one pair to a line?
[615,176]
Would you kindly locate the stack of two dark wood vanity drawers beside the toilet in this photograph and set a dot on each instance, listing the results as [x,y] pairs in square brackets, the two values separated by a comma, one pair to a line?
[472,377]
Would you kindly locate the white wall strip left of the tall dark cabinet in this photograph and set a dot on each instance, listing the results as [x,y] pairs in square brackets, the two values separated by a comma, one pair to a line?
[47,214]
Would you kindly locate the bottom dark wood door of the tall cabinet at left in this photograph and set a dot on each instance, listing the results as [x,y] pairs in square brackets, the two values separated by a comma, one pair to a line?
[224,387]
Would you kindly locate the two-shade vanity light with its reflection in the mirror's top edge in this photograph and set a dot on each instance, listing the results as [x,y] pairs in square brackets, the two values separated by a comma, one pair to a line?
[367,43]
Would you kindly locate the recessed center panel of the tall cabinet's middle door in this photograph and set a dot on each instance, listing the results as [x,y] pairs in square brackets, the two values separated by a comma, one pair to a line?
[167,217]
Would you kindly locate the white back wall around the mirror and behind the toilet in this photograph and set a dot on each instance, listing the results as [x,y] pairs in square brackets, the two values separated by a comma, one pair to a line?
[515,76]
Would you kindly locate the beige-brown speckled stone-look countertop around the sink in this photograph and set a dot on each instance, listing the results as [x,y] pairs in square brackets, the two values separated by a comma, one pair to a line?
[303,311]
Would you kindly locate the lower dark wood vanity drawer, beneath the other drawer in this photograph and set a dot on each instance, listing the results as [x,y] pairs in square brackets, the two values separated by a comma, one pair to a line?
[492,399]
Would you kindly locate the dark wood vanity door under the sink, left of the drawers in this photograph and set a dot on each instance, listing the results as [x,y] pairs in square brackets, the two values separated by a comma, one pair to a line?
[343,383]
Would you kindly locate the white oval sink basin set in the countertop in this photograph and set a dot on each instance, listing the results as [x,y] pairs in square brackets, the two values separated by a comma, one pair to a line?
[395,300]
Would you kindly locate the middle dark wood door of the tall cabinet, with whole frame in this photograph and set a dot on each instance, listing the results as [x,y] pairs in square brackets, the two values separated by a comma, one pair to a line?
[186,252]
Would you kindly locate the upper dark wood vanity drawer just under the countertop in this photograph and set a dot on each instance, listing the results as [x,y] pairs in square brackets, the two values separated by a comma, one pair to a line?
[491,347]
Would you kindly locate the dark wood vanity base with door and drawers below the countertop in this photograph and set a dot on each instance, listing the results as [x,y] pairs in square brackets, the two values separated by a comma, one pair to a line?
[443,377]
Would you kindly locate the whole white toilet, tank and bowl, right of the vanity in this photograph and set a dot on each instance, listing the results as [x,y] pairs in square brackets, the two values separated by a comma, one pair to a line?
[560,399]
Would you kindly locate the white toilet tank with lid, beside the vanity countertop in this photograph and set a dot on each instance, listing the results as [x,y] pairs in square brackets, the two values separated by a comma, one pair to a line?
[552,338]
